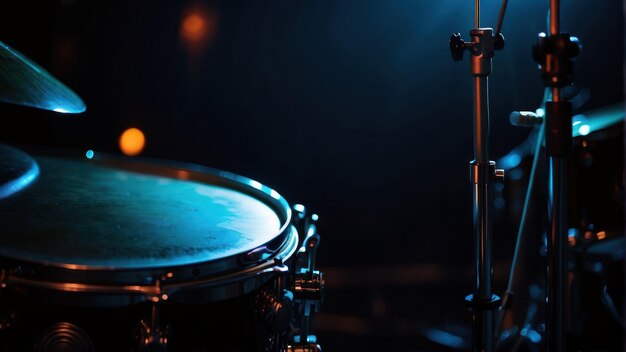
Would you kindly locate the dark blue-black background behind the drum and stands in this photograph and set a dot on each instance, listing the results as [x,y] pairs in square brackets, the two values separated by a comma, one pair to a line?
[353,108]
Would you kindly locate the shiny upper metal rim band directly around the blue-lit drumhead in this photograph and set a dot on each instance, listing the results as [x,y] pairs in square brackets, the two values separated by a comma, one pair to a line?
[33,270]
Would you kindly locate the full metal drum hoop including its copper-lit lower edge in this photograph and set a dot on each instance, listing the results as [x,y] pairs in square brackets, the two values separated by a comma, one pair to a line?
[200,282]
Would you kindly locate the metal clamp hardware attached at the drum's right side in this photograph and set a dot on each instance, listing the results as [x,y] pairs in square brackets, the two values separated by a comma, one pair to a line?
[308,282]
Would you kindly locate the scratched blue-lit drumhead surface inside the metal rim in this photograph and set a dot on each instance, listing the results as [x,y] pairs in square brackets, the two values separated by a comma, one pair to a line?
[84,213]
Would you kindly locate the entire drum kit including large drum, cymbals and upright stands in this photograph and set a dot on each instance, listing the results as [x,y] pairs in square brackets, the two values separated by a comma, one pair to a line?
[100,252]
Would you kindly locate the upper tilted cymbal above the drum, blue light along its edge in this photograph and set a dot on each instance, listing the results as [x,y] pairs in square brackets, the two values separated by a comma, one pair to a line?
[23,82]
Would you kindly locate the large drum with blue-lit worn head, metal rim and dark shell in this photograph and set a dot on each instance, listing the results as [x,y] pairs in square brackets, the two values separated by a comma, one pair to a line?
[112,254]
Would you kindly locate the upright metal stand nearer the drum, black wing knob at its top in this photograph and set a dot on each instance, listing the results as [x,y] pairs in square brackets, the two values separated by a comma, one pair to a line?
[483,174]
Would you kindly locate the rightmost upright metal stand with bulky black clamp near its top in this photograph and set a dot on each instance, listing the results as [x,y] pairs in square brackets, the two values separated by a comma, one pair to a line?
[554,54]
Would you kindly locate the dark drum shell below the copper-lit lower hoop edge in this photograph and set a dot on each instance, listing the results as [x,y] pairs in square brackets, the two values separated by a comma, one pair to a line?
[228,325]
